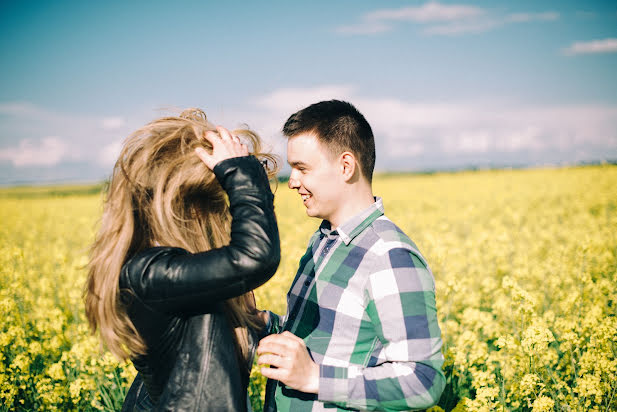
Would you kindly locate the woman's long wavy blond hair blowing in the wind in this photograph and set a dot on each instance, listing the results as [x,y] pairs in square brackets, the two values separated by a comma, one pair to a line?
[162,194]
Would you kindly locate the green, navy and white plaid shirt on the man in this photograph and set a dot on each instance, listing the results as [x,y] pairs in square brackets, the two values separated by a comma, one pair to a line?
[363,300]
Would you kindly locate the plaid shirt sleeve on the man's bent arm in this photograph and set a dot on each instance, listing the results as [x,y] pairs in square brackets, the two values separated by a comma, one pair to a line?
[407,373]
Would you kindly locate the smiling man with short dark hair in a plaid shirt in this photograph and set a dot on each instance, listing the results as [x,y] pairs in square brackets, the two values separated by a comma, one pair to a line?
[361,329]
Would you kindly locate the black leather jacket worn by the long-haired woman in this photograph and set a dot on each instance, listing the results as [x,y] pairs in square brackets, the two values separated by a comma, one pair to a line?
[174,299]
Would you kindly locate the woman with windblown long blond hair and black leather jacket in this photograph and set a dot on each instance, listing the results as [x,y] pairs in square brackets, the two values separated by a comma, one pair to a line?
[174,264]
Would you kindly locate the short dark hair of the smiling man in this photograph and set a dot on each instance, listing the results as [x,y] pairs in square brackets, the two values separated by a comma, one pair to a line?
[340,127]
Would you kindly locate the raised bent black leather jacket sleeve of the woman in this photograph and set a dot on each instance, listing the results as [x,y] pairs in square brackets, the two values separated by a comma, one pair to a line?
[174,281]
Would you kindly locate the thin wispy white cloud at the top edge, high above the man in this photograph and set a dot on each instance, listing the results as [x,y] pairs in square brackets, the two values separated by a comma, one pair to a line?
[441,19]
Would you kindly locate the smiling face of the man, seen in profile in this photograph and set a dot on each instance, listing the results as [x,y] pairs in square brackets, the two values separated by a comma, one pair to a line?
[315,174]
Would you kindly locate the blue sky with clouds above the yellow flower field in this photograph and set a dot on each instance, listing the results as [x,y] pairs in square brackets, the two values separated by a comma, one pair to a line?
[444,84]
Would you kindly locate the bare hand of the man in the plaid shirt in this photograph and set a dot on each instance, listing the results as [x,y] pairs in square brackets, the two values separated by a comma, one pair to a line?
[288,353]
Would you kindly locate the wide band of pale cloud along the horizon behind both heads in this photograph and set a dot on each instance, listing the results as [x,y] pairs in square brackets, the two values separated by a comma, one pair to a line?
[409,133]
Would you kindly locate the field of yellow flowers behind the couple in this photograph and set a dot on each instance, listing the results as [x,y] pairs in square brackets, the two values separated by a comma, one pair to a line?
[525,263]
